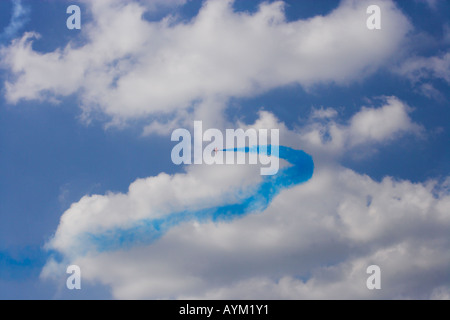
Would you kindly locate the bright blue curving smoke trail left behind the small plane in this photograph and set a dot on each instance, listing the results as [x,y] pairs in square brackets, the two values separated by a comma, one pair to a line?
[147,231]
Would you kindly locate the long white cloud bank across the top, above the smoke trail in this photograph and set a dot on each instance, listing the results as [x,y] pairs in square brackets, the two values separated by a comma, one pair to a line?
[129,67]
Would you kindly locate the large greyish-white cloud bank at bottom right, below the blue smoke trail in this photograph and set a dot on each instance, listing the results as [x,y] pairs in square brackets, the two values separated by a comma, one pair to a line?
[339,219]
